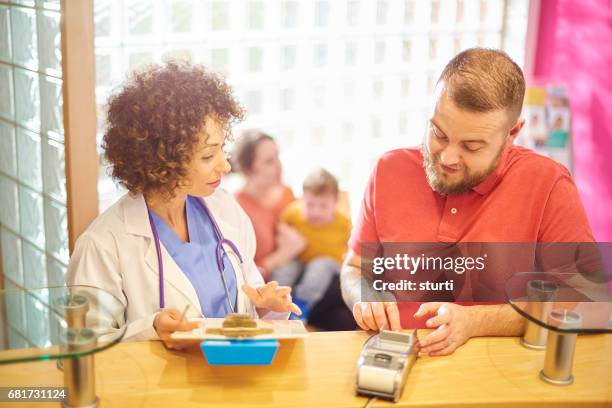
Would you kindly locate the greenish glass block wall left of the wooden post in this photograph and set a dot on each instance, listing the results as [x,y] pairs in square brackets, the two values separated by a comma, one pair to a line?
[33,221]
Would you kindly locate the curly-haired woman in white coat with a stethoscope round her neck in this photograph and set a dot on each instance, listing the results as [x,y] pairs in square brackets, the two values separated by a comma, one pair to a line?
[175,238]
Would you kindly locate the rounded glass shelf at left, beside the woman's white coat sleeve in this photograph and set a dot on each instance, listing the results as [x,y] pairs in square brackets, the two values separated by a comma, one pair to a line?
[58,322]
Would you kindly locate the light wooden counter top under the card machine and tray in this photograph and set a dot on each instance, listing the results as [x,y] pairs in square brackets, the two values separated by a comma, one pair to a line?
[319,371]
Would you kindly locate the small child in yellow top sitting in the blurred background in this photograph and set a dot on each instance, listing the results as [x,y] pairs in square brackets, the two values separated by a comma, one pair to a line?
[326,231]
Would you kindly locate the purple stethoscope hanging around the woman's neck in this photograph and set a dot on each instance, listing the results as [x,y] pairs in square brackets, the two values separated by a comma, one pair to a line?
[219,250]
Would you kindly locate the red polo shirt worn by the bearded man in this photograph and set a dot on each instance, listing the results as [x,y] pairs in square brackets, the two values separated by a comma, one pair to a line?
[528,198]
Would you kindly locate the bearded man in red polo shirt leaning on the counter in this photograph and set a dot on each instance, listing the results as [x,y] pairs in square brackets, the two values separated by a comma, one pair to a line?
[466,183]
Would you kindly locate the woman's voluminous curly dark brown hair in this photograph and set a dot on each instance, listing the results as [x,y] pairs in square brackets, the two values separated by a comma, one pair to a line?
[154,120]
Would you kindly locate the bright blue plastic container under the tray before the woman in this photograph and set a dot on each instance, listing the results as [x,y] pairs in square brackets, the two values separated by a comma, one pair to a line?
[239,352]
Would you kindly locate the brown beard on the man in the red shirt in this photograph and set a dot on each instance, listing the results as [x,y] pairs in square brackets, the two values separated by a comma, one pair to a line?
[469,181]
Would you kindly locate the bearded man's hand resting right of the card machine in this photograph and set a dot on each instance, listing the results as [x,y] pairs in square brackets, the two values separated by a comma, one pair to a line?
[454,327]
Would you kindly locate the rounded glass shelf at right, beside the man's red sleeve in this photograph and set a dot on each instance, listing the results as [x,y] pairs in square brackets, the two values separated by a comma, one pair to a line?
[562,302]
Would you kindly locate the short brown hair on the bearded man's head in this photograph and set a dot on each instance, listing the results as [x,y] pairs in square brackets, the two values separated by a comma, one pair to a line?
[484,80]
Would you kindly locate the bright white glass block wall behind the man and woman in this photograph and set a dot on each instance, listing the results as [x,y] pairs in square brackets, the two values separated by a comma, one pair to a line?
[337,82]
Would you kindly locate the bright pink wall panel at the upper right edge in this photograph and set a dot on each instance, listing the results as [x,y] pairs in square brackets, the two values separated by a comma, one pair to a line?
[574,47]
